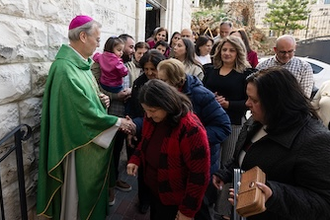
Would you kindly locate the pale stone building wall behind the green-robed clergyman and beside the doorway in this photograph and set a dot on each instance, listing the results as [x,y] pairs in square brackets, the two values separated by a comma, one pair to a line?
[31,32]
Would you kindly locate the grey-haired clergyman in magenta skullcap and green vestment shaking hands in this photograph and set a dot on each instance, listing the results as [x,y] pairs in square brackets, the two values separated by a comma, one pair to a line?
[76,132]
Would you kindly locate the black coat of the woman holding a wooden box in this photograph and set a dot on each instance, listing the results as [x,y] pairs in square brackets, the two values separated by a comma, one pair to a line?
[297,170]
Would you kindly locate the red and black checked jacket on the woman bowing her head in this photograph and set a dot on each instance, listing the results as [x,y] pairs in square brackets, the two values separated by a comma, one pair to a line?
[184,163]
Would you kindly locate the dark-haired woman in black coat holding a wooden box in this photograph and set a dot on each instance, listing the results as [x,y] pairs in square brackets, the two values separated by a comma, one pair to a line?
[287,141]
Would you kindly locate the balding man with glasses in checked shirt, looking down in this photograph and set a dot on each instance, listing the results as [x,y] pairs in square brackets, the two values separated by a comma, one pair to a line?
[284,56]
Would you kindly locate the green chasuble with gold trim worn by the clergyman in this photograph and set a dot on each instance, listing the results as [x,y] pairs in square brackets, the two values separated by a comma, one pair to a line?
[72,117]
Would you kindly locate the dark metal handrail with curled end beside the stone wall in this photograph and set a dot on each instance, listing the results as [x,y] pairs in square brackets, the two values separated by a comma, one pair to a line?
[20,133]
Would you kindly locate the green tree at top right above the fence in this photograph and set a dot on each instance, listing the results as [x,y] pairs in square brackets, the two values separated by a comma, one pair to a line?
[285,15]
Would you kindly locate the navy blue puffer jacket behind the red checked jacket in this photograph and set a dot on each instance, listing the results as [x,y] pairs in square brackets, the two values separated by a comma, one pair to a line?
[212,115]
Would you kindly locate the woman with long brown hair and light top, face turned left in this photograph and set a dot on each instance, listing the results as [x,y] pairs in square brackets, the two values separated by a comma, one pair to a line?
[184,51]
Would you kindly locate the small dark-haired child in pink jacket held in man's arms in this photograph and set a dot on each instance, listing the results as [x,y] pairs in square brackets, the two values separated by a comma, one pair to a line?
[112,67]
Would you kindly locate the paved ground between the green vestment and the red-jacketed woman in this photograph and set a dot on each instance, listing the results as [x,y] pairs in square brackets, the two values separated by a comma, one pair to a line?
[125,207]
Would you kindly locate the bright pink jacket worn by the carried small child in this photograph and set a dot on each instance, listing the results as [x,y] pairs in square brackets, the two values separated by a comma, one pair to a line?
[112,69]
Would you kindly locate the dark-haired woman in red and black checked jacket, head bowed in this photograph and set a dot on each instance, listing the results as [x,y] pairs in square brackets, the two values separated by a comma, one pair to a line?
[174,153]
